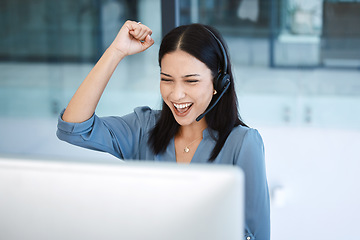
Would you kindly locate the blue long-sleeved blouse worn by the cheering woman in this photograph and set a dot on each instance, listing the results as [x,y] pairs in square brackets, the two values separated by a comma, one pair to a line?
[127,138]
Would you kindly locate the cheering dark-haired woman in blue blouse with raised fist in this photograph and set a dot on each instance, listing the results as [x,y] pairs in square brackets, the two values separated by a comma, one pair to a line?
[195,77]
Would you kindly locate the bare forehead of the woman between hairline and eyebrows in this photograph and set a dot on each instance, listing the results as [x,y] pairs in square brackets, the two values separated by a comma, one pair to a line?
[182,62]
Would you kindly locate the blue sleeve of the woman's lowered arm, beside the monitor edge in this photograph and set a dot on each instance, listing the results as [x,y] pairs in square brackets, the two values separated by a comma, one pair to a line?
[251,159]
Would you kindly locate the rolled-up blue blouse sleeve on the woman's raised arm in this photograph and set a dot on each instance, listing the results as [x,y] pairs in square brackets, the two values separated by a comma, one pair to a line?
[119,136]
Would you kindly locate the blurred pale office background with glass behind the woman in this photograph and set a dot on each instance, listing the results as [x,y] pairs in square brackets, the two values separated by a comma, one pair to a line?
[297,70]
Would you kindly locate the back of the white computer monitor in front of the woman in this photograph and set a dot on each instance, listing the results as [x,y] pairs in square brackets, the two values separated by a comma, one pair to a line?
[42,199]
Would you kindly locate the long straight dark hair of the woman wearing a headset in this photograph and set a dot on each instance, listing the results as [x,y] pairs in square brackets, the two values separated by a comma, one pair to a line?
[196,40]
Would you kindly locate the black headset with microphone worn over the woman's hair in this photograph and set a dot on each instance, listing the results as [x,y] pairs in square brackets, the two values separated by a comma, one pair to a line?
[222,82]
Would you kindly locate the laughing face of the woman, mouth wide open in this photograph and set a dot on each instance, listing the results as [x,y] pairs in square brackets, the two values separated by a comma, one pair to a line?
[186,86]
